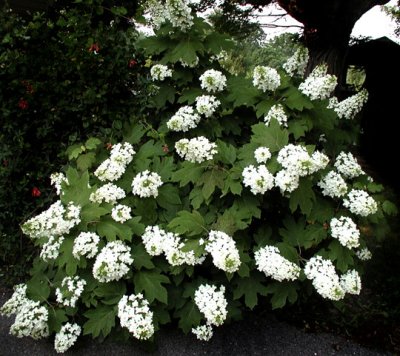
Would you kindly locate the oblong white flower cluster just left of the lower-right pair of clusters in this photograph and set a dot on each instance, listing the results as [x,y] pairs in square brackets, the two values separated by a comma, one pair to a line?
[269,260]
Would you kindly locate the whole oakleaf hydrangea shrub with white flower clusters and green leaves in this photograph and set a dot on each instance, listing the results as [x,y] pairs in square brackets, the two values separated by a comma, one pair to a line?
[221,195]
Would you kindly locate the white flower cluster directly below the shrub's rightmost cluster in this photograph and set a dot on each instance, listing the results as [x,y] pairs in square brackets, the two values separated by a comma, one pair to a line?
[345,230]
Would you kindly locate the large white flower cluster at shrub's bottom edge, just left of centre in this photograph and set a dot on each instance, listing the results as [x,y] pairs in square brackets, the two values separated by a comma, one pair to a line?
[135,315]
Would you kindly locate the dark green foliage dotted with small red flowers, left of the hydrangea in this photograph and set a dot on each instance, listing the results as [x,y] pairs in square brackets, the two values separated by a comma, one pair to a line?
[55,91]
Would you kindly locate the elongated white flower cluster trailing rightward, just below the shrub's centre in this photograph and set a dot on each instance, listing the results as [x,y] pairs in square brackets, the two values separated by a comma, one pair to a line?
[157,241]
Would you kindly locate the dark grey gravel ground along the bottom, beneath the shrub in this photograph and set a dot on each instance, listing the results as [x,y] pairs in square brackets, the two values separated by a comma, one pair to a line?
[257,335]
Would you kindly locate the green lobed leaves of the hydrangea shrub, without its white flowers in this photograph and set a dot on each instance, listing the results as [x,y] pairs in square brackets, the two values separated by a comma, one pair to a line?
[198,198]
